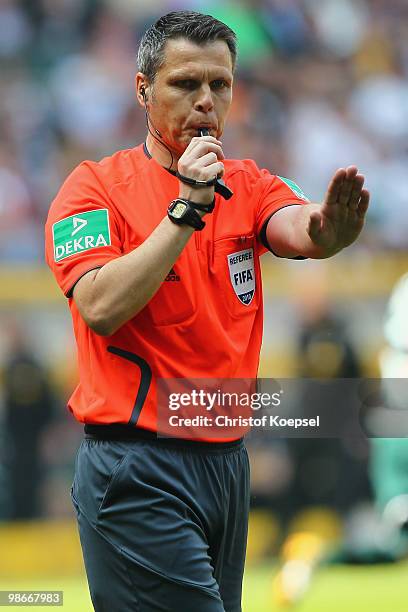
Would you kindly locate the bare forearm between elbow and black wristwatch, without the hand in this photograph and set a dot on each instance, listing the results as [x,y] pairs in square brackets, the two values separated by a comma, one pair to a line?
[123,286]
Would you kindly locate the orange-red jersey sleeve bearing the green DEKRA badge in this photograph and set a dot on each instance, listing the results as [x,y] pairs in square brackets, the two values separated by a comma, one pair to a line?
[82,230]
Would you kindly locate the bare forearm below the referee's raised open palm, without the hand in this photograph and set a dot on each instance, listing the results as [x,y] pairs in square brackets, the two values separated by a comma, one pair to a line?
[287,233]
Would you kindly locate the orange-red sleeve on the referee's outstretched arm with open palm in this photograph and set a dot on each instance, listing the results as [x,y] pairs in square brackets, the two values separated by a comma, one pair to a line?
[277,192]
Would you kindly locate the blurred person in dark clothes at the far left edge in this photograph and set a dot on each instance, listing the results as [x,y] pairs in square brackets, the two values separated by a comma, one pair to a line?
[28,404]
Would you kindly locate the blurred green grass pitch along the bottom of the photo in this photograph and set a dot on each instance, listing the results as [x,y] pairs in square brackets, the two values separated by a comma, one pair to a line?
[334,589]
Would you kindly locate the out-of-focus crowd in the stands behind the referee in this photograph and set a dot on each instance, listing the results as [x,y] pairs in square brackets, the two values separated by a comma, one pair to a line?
[312,96]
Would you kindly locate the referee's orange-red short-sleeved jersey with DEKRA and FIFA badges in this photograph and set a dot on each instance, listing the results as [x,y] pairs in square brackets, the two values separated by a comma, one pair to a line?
[206,319]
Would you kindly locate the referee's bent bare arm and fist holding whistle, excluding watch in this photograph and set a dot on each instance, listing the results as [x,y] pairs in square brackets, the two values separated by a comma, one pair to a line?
[111,296]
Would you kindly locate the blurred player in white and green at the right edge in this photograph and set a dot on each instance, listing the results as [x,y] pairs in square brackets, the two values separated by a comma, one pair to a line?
[378,532]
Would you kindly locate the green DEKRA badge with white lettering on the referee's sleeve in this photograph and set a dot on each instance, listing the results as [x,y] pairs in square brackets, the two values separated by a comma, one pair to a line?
[81,232]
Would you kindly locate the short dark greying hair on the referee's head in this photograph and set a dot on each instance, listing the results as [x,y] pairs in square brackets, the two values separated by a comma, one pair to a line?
[196,27]
